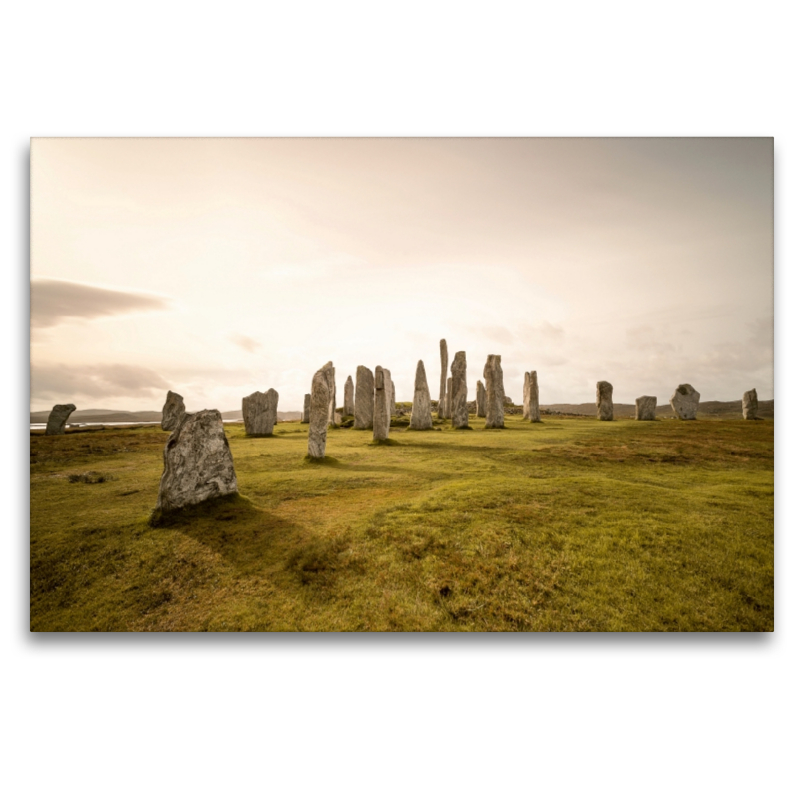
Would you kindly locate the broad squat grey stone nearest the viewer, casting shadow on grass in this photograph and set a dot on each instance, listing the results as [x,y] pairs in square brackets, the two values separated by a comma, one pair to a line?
[198,464]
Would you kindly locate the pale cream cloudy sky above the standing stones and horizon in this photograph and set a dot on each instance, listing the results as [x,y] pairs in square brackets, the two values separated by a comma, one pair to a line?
[218,267]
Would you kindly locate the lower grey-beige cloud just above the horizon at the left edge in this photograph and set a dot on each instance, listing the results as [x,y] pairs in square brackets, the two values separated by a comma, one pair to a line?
[96,381]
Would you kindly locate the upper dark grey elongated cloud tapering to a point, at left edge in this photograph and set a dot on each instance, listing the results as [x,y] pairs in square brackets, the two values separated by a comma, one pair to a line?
[54,302]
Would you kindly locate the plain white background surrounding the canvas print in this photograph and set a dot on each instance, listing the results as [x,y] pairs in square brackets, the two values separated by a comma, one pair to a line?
[396,716]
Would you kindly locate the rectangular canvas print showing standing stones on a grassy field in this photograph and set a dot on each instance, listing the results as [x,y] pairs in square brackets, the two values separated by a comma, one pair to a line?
[378,384]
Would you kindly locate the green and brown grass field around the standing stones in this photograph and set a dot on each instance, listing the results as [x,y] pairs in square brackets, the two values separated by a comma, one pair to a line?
[570,525]
